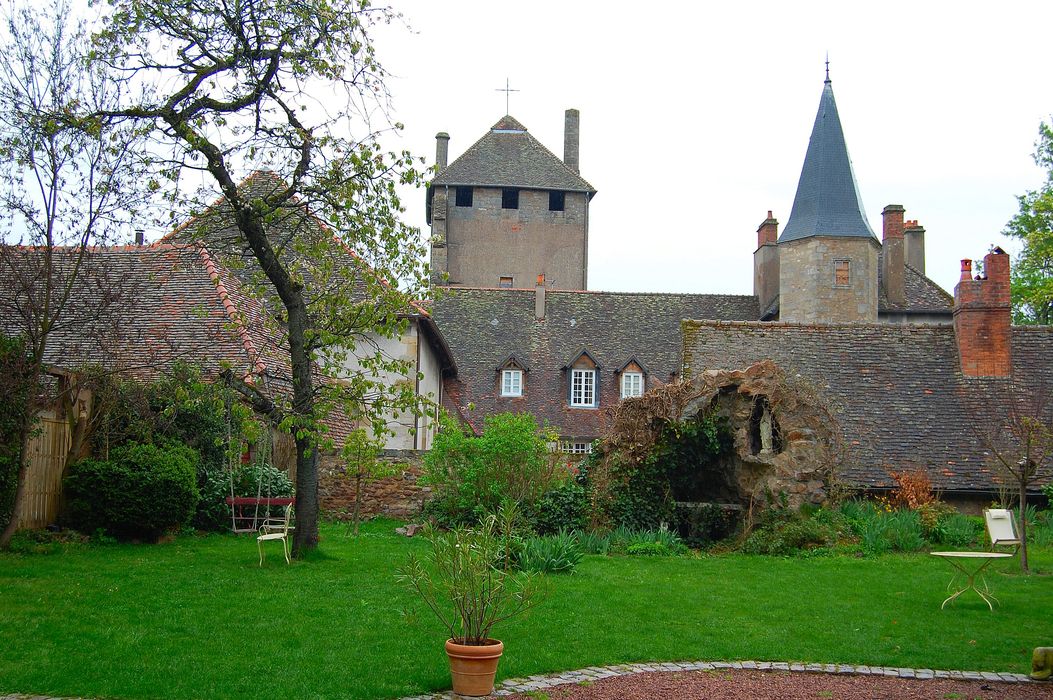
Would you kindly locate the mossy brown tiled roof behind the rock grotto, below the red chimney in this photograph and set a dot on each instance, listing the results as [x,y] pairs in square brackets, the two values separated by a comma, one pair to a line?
[899,391]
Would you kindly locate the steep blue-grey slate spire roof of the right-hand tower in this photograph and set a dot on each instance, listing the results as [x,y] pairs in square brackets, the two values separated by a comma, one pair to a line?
[828,198]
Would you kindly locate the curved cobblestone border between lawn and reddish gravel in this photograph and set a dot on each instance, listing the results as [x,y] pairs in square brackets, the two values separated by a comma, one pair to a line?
[597,673]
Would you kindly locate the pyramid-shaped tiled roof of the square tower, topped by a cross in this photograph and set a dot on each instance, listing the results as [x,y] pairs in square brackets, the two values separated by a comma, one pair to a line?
[508,156]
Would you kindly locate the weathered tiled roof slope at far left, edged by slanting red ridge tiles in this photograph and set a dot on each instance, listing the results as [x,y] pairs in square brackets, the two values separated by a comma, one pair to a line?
[142,309]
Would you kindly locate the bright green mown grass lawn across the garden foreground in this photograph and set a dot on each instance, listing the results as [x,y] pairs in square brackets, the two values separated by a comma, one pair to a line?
[198,618]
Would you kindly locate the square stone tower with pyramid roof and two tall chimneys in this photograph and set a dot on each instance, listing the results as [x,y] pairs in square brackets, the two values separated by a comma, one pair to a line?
[510,213]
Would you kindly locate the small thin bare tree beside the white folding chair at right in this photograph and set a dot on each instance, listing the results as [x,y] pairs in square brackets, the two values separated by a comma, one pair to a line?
[1015,426]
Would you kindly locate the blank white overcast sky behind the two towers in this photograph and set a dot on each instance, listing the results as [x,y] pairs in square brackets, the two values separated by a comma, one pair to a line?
[696,117]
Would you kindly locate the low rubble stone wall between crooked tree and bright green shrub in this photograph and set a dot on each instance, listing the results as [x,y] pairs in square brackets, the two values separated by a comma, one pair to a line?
[399,496]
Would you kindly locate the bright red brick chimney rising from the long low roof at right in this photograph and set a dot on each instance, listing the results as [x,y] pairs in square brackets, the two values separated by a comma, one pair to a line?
[982,318]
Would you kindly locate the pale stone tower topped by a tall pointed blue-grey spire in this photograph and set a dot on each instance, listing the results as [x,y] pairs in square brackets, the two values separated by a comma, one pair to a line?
[828,255]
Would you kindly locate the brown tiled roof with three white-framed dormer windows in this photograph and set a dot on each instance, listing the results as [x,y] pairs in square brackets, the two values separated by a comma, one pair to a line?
[487,327]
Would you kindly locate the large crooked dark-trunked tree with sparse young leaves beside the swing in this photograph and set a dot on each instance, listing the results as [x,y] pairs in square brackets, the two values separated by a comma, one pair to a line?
[233,88]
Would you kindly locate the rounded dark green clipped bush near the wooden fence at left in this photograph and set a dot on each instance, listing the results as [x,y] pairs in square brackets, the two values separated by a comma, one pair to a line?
[142,492]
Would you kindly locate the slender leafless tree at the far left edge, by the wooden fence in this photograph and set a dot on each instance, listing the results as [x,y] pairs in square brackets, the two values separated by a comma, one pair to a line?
[68,187]
